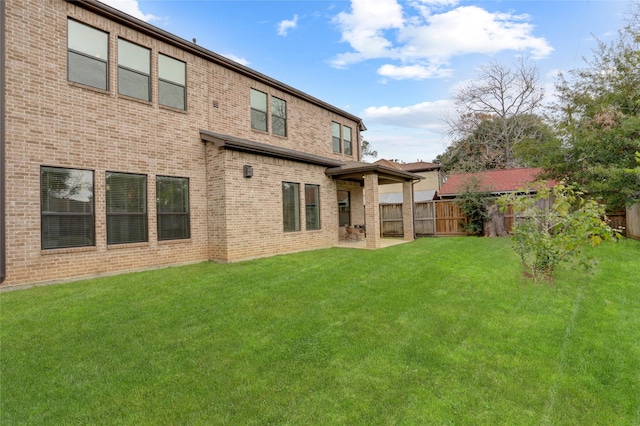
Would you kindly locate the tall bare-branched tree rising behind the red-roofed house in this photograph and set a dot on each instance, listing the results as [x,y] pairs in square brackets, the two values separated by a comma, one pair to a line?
[494,113]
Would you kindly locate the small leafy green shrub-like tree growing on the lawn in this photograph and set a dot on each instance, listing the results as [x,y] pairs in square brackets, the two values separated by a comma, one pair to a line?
[554,226]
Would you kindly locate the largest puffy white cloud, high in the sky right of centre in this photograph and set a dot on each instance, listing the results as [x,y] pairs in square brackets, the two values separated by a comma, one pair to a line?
[425,35]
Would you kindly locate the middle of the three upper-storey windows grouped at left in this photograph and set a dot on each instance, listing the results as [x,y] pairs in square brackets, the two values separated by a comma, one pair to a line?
[134,69]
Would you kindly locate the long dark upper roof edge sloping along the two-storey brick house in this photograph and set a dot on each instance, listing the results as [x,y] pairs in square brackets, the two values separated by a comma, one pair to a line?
[171,39]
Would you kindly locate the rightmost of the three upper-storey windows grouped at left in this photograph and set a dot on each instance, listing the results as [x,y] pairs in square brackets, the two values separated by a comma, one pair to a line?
[172,82]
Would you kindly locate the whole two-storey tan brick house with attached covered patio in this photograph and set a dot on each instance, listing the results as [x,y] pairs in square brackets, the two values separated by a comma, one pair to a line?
[124,147]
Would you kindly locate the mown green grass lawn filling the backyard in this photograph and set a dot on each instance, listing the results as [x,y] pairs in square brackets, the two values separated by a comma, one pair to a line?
[438,331]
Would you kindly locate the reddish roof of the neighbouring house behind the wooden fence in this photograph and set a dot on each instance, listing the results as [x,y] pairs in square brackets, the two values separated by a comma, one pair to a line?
[494,181]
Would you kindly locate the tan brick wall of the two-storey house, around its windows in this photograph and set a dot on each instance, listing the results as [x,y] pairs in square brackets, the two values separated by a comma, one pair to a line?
[53,122]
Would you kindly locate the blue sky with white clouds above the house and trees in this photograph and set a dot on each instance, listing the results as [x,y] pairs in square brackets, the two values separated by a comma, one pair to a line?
[393,63]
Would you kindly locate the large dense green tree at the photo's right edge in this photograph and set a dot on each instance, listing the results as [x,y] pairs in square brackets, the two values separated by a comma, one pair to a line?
[598,118]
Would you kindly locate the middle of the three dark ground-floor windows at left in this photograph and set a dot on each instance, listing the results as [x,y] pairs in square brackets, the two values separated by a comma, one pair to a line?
[126,208]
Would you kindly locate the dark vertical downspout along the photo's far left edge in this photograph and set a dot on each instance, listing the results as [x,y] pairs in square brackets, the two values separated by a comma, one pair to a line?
[3,50]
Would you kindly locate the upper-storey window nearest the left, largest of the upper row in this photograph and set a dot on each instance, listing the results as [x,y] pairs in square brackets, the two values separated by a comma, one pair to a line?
[87,55]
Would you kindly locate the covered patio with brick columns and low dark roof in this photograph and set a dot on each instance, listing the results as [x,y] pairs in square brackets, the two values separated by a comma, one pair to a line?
[370,177]
